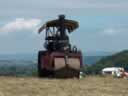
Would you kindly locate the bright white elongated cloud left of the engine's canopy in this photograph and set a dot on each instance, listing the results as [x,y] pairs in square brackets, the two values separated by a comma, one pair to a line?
[20,24]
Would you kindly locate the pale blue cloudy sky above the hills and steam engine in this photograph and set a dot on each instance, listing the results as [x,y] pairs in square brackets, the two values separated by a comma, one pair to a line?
[103,24]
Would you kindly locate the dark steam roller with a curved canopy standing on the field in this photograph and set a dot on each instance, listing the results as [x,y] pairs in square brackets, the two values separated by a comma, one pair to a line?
[60,59]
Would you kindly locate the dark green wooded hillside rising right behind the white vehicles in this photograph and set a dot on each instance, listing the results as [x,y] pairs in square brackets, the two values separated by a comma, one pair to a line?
[116,60]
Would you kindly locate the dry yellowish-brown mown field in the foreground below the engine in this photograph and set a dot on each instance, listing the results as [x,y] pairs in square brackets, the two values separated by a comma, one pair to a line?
[89,86]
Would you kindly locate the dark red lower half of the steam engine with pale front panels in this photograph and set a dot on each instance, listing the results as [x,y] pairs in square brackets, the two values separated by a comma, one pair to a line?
[57,66]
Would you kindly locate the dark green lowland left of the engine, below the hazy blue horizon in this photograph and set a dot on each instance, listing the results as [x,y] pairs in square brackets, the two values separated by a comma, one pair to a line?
[17,68]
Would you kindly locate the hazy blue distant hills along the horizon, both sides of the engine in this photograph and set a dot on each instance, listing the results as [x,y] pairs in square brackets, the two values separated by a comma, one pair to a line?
[88,57]
